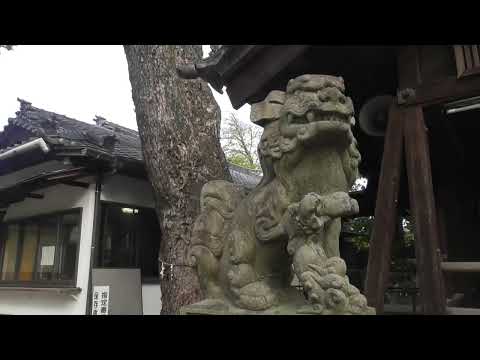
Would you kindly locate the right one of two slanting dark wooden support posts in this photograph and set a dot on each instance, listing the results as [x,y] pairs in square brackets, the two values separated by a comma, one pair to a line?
[422,204]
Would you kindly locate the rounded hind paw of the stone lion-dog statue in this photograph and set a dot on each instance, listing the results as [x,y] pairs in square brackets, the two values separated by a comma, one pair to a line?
[256,296]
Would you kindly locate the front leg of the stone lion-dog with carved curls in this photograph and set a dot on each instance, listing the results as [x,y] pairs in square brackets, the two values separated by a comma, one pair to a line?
[324,279]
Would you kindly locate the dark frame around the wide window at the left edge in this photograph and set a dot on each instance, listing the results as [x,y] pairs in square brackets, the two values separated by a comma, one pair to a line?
[36,283]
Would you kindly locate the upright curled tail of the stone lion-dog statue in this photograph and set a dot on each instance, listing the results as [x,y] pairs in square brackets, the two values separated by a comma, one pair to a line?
[218,200]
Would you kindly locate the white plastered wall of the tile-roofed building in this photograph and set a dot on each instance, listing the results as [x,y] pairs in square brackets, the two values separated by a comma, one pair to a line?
[118,189]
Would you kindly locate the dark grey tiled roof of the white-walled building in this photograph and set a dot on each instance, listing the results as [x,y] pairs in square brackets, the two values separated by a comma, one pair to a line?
[70,137]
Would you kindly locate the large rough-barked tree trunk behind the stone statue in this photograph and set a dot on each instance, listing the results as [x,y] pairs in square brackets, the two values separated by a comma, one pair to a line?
[179,125]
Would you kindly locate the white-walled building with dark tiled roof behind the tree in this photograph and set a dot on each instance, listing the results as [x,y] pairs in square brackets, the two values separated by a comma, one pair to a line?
[78,217]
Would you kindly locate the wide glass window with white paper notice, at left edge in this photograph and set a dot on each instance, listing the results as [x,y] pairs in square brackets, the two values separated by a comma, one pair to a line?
[42,249]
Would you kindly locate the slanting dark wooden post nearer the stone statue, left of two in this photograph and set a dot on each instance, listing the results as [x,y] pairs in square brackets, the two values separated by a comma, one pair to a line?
[385,223]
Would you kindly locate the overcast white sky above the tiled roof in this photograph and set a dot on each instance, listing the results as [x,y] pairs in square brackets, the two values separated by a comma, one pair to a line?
[79,81]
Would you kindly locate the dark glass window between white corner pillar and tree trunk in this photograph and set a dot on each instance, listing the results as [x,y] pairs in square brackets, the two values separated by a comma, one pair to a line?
[130,239]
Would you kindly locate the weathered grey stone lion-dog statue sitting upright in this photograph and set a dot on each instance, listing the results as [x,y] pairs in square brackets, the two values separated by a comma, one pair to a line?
[245,246]
